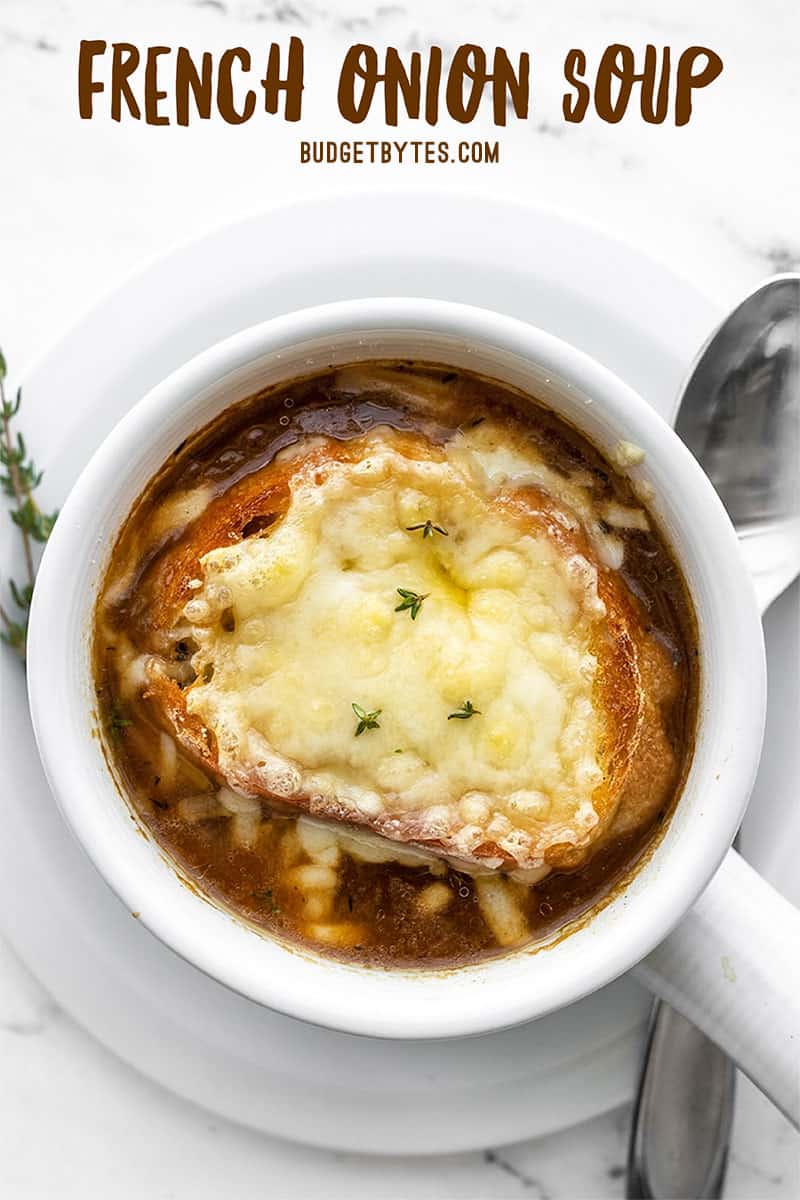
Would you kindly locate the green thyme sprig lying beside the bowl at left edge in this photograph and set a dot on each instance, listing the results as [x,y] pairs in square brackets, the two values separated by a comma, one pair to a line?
[19,481]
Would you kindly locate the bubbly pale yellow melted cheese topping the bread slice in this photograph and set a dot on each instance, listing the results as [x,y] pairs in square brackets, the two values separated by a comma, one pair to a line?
[299,625]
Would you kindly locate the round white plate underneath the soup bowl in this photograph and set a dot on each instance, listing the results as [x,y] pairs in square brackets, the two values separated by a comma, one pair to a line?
[143,1003]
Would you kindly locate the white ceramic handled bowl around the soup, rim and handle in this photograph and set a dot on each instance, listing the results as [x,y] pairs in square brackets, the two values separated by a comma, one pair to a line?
[527,983]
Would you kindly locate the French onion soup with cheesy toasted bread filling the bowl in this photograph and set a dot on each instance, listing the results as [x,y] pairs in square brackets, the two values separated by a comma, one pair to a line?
[394,664]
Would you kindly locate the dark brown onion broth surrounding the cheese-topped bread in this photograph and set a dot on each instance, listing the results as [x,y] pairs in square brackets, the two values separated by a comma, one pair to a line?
[380,902]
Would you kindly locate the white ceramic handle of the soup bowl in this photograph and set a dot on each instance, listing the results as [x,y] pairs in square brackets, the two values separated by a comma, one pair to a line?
[733,969]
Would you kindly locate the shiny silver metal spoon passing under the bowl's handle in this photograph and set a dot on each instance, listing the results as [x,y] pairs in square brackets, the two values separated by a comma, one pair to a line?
[739,413]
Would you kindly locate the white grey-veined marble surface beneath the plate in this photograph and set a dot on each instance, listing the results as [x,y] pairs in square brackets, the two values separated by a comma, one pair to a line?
[86,203]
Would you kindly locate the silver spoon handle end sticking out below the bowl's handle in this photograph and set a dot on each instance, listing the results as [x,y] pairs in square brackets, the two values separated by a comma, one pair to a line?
[684,1114]
